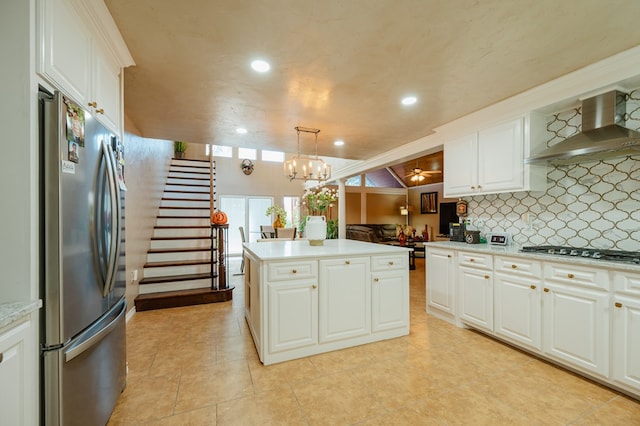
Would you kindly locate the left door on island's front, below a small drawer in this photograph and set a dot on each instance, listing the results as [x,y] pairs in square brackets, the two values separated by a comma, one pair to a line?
[293,315]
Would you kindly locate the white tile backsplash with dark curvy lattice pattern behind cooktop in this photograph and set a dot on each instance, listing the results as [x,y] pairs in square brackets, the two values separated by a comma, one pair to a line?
[593,204]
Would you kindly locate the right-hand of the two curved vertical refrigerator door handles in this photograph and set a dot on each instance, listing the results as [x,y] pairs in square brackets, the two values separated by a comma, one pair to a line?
[114,247]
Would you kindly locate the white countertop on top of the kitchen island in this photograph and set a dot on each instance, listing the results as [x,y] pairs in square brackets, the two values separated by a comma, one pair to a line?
[279,250]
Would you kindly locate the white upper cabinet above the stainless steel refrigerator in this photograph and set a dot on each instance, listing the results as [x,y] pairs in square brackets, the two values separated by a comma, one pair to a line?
[75,60]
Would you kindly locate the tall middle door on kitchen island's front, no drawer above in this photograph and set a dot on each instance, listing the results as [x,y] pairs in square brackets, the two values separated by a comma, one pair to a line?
[345,299]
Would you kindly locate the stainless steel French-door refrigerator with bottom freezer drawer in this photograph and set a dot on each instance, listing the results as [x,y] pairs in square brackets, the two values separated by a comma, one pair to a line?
[82,334]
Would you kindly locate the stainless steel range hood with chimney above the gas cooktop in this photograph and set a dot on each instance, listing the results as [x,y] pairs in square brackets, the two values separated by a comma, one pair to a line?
[603,134]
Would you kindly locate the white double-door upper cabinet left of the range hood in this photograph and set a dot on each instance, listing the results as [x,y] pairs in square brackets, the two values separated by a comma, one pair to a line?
[492,160]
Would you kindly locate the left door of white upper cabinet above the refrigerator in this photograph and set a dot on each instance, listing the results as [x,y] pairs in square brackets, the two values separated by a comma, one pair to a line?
[65,59]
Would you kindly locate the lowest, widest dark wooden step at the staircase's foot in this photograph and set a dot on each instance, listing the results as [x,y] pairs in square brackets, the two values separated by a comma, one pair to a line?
[173,299]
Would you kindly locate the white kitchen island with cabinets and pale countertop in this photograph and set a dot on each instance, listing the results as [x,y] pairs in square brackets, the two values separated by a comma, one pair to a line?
[303,300]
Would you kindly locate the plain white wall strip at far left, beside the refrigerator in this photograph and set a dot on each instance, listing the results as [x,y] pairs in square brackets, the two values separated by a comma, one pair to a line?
[19,160]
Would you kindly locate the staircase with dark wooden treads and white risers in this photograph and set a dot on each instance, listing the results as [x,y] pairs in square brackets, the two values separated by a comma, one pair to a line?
[179,271]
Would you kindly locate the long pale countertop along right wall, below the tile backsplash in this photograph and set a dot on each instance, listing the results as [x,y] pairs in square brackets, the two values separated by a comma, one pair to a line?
[514,250]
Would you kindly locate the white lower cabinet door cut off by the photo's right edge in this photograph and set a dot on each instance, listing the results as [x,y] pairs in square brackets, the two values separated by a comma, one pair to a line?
[626,341]
